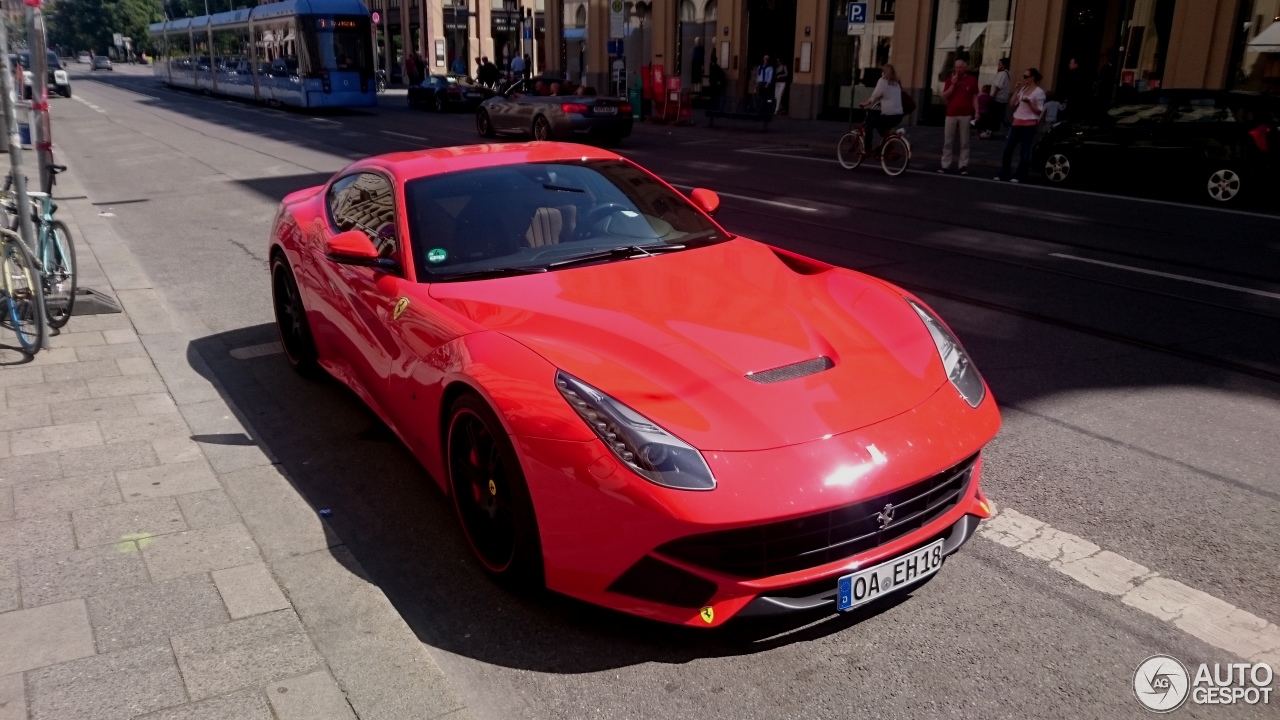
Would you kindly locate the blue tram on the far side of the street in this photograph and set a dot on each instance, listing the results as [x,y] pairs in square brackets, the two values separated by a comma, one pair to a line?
[301,53]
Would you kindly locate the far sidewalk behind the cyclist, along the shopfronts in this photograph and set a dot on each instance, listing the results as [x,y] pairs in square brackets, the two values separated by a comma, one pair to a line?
[822,136]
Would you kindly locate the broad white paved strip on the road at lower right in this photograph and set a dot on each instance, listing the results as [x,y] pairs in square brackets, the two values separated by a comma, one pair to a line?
[1196,613]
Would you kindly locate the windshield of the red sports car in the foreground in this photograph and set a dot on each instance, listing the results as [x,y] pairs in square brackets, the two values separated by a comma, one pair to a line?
[538,215]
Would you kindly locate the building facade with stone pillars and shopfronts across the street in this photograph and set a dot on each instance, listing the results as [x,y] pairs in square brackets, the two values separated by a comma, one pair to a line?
[834,62]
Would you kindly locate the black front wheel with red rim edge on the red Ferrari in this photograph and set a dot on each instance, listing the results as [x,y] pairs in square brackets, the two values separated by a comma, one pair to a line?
[491,496]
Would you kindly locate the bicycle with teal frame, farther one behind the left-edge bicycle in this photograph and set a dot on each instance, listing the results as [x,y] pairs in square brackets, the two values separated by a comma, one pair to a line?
[56,253]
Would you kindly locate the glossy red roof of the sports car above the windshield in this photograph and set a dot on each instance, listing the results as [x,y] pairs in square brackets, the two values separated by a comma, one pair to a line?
[437,161]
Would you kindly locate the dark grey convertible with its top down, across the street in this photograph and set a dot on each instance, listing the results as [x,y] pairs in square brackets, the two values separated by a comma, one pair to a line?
[525,108]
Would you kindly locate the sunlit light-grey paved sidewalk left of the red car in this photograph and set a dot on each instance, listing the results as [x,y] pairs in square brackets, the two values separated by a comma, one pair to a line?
[154,562]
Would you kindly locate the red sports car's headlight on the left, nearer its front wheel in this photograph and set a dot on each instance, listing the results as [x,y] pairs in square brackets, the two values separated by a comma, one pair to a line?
[648,450]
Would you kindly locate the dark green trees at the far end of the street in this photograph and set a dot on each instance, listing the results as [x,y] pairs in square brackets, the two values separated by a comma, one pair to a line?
[89,25]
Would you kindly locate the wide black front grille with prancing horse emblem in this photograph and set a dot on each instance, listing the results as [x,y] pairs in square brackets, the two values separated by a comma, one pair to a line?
[775,549]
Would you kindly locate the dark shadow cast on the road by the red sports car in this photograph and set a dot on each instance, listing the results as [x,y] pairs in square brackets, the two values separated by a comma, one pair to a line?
[401,527]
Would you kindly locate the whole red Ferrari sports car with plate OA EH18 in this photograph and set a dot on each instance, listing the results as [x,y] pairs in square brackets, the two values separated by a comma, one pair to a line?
[625,402]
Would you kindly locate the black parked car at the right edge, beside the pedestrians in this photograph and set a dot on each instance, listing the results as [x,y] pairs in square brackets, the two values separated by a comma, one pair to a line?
[1217,145]
